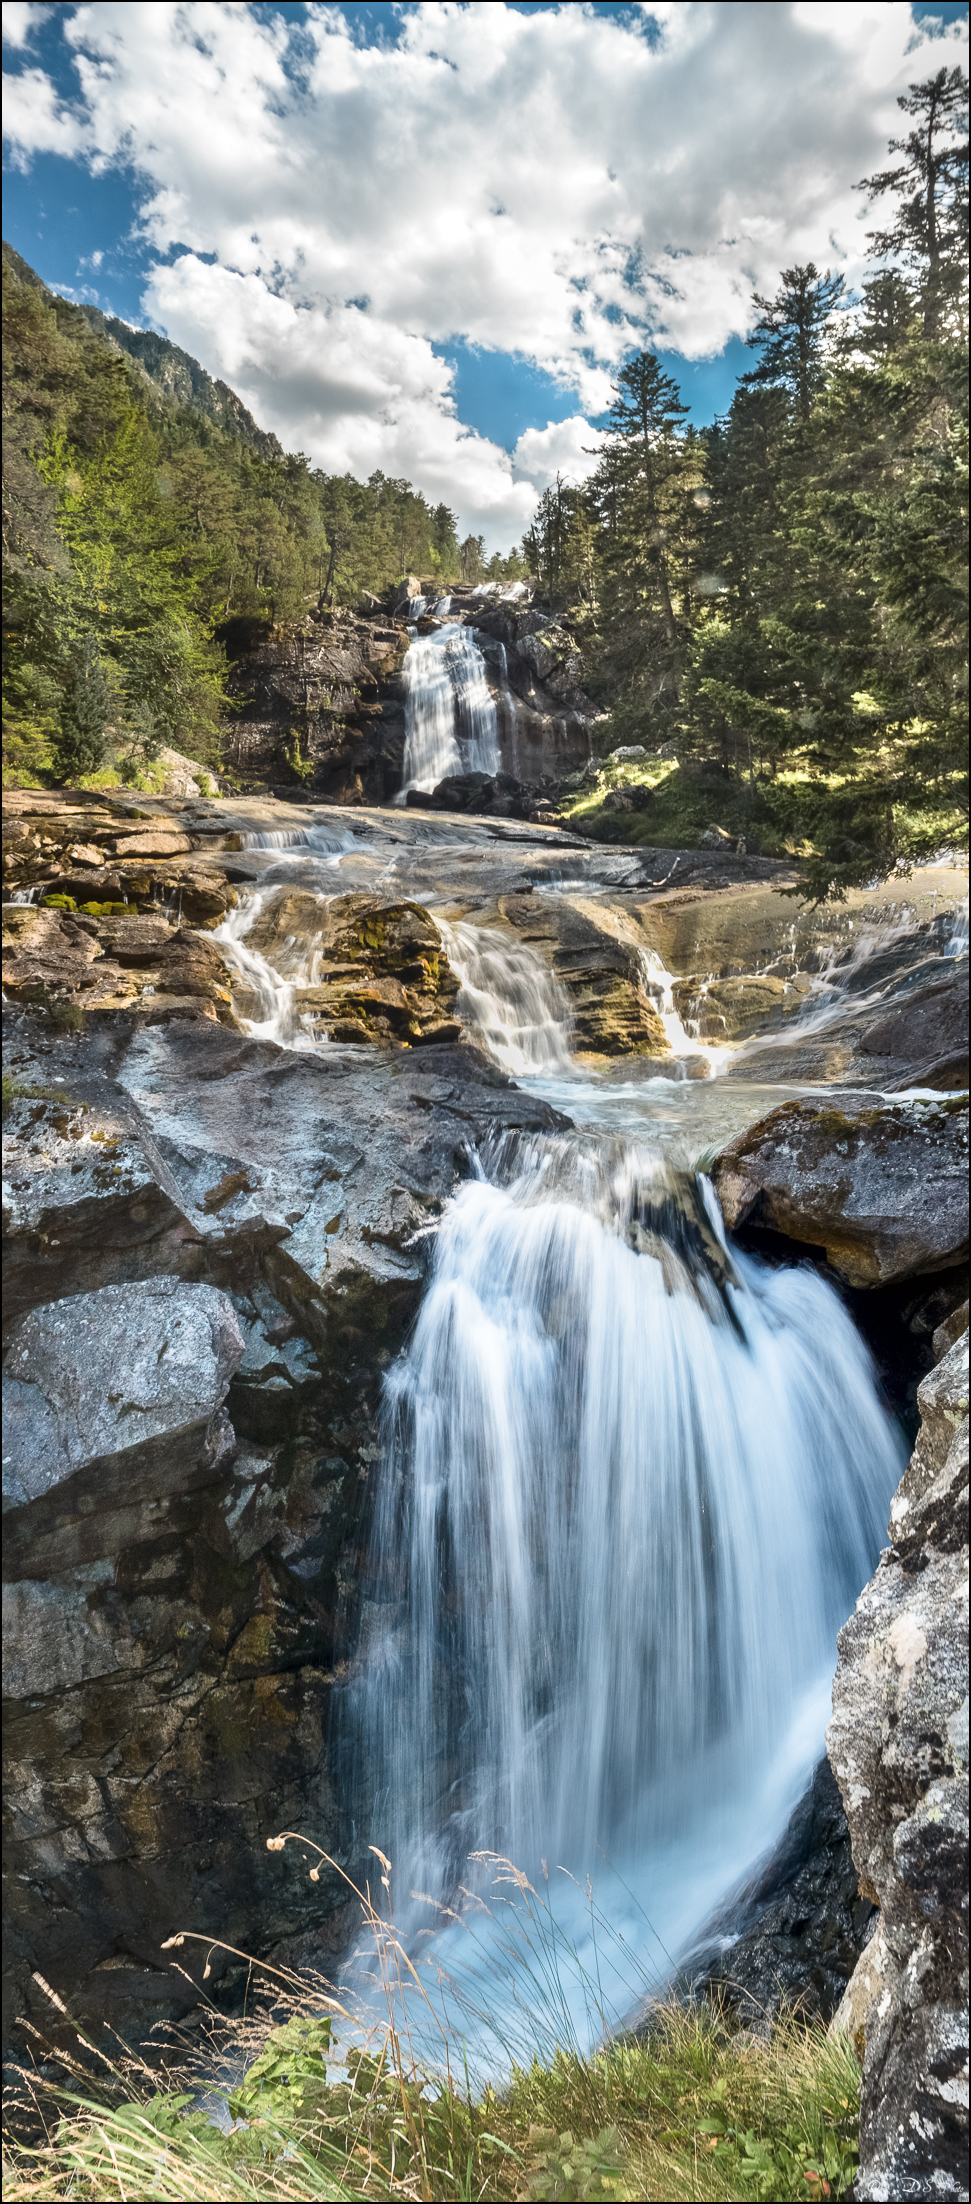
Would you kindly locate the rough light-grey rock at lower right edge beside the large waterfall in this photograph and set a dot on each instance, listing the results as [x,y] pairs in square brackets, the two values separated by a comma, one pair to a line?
[899,1747]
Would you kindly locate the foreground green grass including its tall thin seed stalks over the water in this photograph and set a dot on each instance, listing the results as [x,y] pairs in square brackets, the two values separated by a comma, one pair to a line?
[329,2104]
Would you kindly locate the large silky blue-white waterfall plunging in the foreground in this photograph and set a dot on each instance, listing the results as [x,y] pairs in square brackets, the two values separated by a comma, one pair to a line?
[631,1491]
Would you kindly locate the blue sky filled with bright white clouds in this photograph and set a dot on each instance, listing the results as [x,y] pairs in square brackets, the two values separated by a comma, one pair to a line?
[426,237]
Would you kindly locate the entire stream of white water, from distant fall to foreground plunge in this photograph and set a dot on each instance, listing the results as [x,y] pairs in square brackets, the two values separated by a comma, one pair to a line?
[631,1487]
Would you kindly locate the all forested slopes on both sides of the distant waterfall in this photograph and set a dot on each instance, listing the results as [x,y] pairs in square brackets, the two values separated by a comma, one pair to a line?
[778,603]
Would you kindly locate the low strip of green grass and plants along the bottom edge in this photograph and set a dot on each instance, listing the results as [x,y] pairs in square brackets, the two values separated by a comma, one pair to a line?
[695,2113]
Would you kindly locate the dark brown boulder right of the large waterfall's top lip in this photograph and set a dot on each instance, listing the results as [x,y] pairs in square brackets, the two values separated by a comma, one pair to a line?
[882,1187]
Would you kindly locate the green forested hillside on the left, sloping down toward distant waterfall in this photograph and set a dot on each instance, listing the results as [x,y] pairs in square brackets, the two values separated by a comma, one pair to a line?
[142,510]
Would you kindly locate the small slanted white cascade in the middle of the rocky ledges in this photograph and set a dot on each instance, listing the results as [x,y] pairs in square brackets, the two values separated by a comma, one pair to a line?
[510,1000]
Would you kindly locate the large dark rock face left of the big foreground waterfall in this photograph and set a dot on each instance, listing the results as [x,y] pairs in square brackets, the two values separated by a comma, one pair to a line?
[193,1211]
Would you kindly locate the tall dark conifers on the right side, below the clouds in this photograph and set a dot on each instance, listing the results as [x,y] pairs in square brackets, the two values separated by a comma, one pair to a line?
[783,598]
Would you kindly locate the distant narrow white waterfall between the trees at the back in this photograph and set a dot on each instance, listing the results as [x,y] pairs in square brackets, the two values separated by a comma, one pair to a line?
[450,713]
